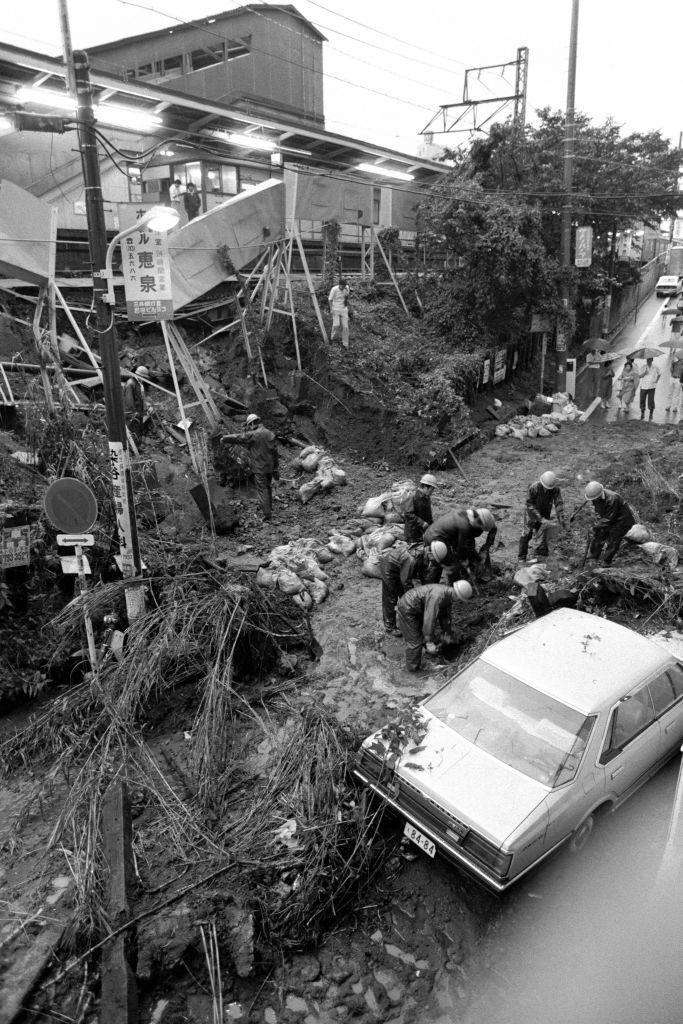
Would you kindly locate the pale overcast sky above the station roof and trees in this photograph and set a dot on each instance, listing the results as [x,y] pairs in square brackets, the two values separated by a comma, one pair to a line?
[390,64]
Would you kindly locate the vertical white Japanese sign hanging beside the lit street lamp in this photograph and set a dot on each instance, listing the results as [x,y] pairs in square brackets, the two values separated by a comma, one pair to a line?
[147,274]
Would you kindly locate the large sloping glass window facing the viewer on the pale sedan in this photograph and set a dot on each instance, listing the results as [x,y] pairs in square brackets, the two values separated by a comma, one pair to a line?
[517,723]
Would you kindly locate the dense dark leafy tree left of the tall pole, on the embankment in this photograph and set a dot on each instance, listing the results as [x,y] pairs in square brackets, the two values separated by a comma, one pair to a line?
[498,269]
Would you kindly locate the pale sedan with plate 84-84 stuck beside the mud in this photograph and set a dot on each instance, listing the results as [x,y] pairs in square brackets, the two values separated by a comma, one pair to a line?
[515,756]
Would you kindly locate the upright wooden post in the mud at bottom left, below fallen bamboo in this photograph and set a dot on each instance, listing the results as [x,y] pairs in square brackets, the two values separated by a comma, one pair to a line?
[119,989]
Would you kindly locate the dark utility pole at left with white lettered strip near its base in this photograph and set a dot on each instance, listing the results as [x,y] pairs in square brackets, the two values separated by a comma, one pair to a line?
[116,422]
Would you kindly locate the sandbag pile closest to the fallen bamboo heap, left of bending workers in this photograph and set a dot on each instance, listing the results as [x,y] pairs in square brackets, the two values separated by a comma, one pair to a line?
[295,569]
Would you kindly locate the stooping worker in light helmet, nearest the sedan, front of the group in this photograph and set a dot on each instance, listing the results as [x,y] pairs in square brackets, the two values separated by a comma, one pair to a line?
[424,616]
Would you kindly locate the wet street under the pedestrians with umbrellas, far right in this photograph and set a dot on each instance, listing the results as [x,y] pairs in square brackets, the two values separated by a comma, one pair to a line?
[650,328]
